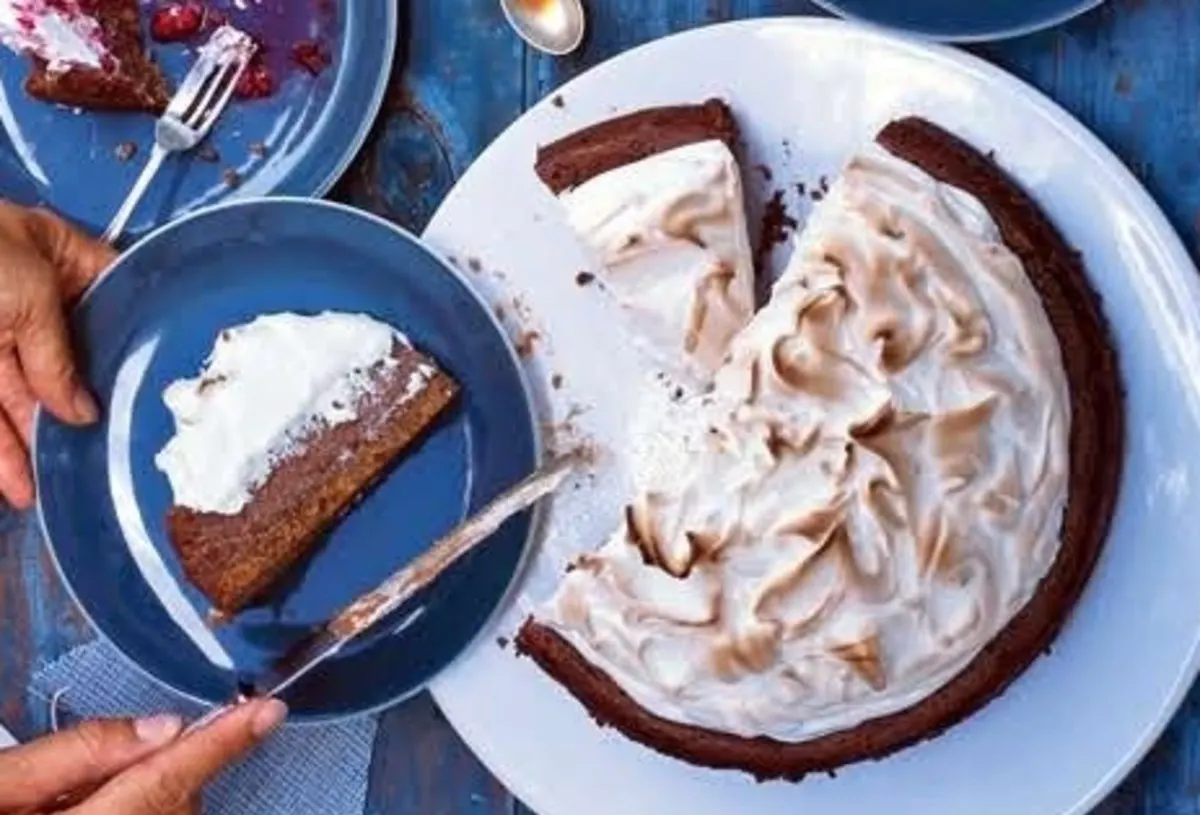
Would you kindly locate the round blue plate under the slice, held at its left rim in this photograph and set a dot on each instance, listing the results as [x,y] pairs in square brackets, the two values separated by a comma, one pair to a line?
[152,320]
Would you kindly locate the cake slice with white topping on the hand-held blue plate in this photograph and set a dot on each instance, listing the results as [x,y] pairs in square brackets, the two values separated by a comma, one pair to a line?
[292,421]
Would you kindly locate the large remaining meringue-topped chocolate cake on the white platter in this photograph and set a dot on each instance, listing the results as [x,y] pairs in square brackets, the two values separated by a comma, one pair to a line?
[897,492]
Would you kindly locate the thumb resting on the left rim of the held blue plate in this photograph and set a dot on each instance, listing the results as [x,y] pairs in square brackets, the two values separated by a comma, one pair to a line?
[46,357]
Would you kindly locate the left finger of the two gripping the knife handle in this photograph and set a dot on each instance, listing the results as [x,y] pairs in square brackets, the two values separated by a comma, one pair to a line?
[35,776]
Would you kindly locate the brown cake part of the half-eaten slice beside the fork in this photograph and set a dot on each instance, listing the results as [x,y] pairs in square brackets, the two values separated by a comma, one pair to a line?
[133,83]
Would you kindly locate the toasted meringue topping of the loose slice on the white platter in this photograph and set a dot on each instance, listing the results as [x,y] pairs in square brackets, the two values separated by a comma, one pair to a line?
[670,233]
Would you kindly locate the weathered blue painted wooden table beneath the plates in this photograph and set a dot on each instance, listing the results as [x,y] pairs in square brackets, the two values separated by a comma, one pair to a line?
[1131,71]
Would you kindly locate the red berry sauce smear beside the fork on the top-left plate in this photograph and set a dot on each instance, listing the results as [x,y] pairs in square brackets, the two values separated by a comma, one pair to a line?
[293,35]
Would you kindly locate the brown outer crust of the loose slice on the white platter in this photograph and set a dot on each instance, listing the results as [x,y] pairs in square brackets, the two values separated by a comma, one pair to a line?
[589,153]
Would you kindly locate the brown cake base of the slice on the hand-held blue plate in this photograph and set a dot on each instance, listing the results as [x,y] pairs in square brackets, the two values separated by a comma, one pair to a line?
[235,559]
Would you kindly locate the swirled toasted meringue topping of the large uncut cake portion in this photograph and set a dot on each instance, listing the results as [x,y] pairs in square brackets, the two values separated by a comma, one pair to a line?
[877,493]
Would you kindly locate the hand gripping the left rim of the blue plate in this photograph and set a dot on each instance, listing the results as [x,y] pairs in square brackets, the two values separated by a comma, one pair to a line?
[45,263]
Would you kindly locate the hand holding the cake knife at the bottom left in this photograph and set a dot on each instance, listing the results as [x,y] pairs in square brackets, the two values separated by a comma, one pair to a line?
[125,768]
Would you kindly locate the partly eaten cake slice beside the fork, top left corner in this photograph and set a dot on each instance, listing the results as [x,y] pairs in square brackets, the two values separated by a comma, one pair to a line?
[86,53]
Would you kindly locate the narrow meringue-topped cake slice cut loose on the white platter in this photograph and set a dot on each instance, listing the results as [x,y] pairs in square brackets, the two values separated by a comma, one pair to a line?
[658,197]
